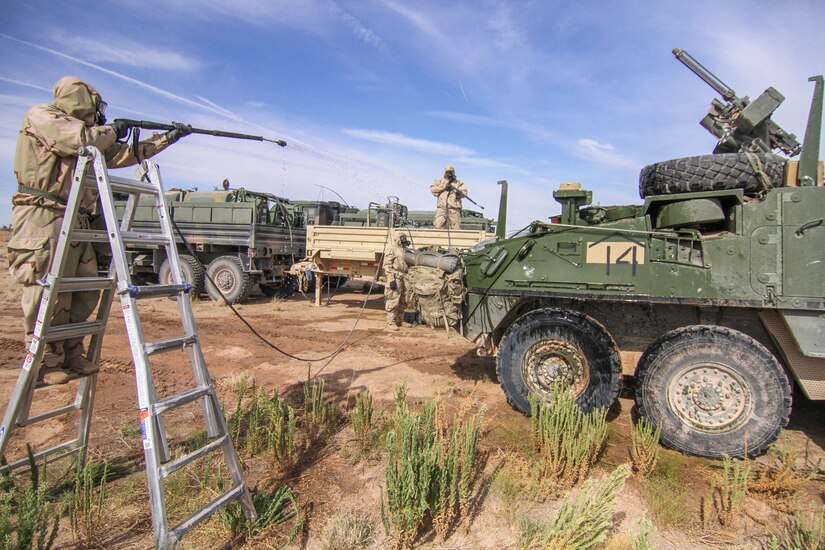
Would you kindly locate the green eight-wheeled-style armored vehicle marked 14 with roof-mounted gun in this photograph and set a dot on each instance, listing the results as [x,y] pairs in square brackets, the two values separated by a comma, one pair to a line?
[712,292]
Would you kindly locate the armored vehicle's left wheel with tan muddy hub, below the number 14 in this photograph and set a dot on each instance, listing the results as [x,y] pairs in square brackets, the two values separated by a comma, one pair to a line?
[547,347]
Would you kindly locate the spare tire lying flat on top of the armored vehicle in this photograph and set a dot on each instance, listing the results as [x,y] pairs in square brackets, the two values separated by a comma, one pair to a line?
[711,173]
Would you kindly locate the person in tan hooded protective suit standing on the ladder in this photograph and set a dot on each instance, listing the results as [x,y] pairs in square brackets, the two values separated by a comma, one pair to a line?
[44,164]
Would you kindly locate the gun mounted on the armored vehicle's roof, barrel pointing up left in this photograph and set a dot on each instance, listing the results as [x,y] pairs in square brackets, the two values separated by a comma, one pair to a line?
[740,124]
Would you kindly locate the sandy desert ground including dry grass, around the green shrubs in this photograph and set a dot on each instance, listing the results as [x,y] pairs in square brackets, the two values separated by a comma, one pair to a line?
[332,477]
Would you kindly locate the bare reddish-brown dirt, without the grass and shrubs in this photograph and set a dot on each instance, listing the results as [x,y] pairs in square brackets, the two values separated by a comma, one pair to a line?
[331,480]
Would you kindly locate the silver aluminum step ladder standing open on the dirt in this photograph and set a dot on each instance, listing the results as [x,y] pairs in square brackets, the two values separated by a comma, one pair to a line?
[91,171]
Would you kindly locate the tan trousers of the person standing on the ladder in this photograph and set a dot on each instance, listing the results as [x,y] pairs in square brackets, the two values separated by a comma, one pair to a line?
[31,250]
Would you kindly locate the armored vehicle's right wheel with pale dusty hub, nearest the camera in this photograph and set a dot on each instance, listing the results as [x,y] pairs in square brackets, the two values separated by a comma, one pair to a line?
[714,391]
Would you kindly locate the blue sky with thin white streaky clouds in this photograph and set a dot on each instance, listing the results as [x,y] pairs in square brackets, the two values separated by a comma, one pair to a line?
[376,96]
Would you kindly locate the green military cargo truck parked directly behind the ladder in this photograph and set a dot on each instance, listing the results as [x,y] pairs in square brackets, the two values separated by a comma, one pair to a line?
[239,237]
